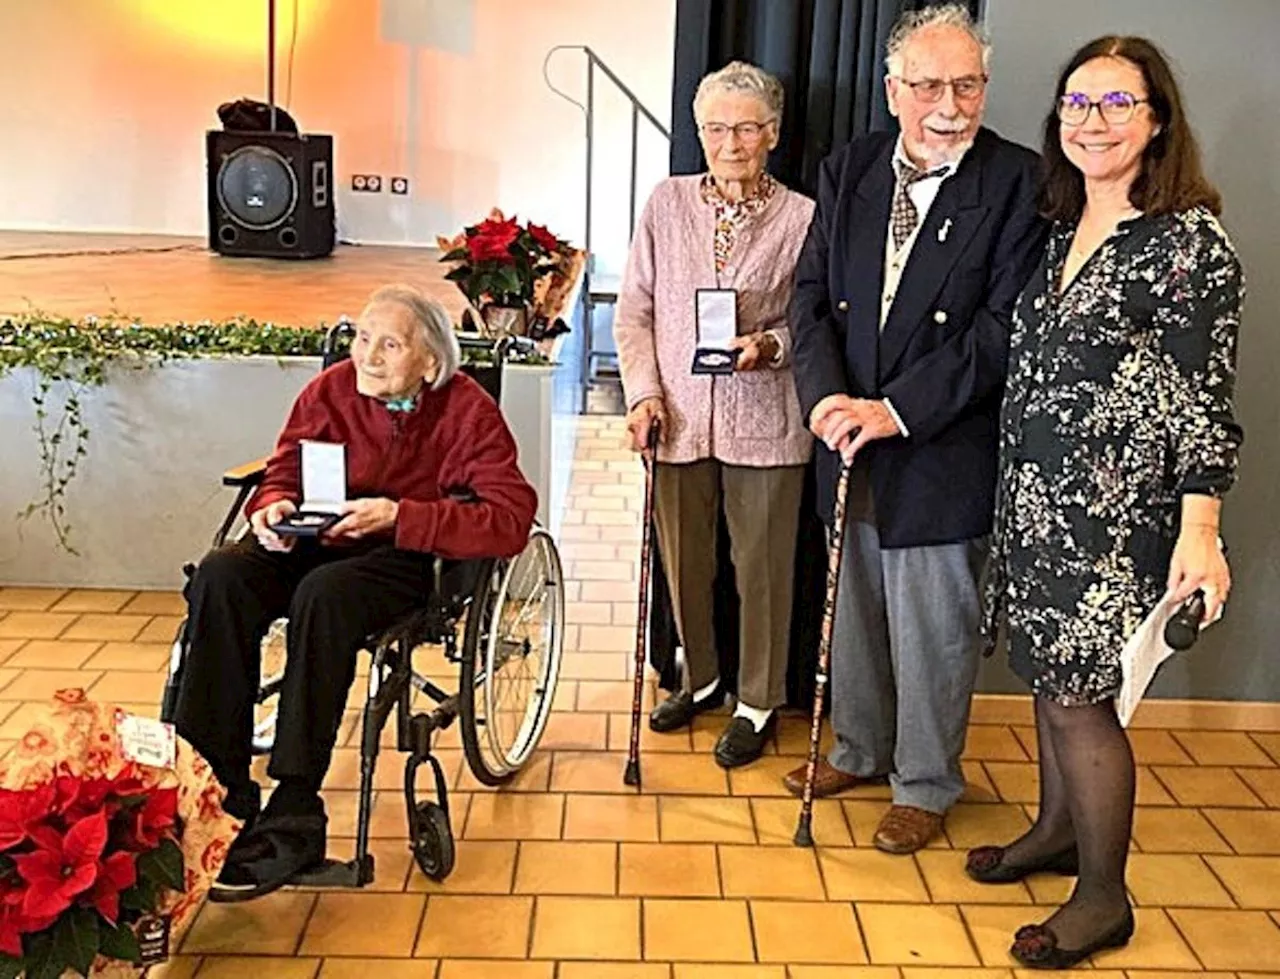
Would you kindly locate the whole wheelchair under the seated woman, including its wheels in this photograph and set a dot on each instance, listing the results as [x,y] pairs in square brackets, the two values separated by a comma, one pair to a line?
[500,621]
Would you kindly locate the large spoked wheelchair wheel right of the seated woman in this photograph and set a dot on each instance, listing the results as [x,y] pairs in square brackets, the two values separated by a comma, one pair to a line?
[511,661]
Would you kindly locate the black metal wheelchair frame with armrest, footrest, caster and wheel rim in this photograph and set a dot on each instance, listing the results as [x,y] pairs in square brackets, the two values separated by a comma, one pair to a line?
[392,683]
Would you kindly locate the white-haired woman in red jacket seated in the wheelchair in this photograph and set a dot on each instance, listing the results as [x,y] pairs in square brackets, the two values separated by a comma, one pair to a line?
[433,481]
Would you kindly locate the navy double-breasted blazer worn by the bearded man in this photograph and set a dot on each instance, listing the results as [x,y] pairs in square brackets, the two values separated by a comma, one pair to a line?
[943,356]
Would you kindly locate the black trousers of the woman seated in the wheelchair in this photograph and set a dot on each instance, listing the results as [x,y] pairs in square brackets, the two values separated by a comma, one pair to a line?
[335,600]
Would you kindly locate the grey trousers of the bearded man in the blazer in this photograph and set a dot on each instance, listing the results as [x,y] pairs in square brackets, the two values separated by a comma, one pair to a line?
[904,661]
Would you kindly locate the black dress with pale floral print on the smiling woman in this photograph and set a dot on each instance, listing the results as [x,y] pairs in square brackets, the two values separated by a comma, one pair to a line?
[1119,402]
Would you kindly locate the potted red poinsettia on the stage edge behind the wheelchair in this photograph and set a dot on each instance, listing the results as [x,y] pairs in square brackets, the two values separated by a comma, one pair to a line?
[504,268]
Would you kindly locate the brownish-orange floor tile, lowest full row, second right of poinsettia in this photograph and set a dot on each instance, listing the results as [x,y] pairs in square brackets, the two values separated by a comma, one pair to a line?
[364,925]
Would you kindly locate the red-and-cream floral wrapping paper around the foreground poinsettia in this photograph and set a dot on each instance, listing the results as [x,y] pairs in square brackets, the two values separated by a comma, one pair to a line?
[77,736]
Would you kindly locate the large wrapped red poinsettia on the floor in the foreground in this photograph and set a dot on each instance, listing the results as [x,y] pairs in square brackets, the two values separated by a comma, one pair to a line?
[103,858]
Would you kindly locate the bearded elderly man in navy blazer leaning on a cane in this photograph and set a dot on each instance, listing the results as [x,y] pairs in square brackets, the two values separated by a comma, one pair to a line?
[904,292]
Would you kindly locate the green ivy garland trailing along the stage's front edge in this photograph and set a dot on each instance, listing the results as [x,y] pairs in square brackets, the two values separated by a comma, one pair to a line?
[76,355]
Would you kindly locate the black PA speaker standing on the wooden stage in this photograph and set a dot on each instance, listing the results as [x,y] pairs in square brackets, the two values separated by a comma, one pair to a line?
[271,195]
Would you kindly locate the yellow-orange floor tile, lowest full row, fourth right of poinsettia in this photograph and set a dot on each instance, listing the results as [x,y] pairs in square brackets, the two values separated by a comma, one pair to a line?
[587,928]
